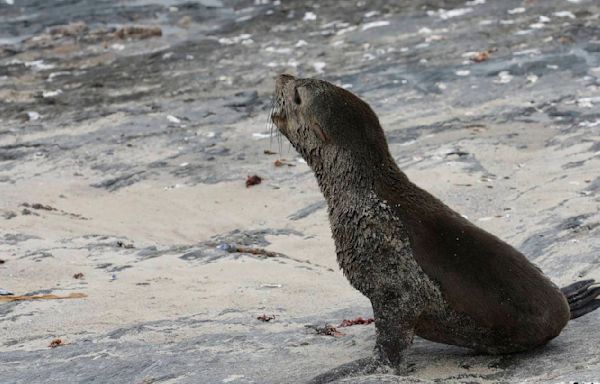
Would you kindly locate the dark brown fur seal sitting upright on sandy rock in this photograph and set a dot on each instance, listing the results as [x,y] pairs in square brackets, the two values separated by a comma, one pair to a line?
[426,269]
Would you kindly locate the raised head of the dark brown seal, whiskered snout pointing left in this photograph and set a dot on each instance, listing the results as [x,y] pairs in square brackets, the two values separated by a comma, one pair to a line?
[324,122]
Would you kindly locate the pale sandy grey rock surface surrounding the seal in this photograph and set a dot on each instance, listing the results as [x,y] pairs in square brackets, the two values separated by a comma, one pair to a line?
[128,129]
